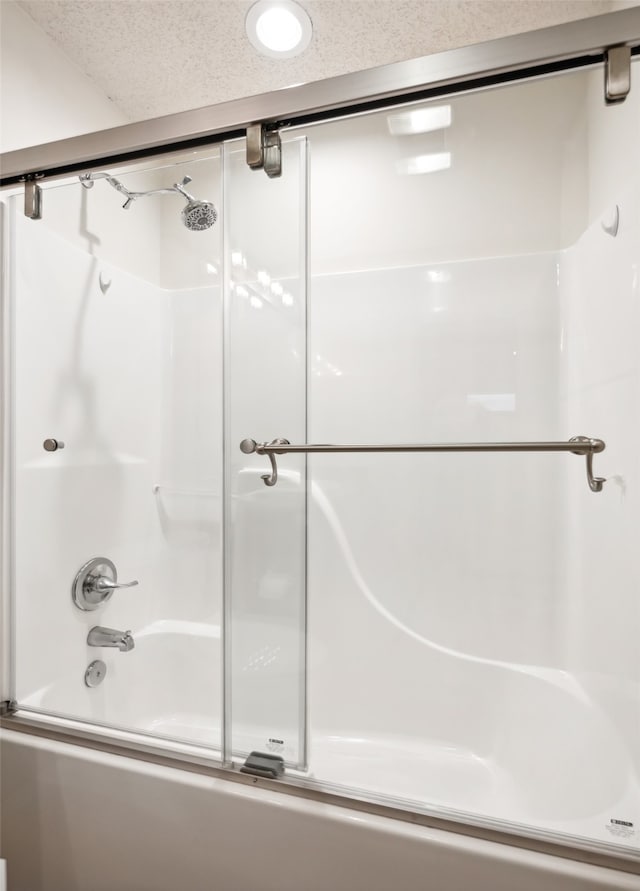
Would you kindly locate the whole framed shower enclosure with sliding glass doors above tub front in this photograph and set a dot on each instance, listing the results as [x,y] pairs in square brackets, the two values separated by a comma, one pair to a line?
[322,427]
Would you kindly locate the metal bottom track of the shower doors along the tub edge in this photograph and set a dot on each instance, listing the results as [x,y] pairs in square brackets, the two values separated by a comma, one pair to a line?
[624,859]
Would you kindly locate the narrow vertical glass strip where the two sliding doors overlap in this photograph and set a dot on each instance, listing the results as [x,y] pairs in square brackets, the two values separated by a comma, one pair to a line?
[265,395]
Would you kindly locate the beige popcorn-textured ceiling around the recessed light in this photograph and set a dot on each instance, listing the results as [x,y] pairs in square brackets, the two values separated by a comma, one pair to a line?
[155,57]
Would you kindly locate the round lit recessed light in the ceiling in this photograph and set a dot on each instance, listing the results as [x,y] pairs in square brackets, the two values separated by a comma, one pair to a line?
[278,28]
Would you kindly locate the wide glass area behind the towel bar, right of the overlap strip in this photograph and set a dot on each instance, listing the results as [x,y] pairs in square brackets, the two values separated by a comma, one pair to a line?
[480,610]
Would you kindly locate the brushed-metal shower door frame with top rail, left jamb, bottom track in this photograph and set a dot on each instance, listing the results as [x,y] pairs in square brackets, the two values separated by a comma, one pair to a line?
[578,44]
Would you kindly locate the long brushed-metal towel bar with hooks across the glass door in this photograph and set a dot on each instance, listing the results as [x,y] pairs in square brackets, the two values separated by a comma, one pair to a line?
[578,445]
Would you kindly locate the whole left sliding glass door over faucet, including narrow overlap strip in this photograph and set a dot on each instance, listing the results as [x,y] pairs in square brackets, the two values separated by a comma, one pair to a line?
[123,536]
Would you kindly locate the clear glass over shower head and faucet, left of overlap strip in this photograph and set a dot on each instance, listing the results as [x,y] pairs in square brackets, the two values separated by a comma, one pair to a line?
[118,340]
